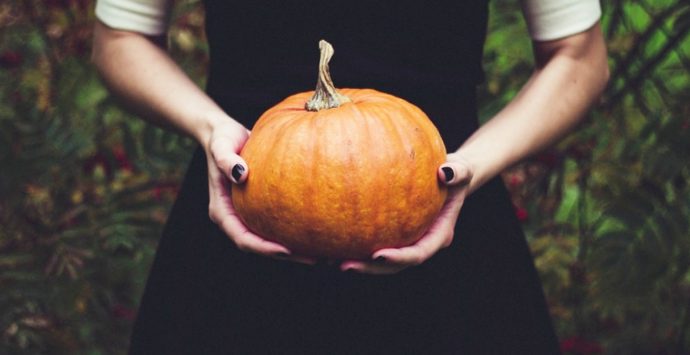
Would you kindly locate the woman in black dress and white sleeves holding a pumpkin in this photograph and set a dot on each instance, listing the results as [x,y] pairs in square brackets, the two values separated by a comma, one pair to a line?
[466,287]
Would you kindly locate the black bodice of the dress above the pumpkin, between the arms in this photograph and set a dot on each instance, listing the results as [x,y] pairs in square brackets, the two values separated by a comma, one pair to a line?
[426,52]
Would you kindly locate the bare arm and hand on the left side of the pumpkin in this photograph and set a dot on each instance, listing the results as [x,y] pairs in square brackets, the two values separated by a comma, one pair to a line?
[150,83]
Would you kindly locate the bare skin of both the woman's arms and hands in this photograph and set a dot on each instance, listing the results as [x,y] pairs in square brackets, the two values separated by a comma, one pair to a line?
[569,76]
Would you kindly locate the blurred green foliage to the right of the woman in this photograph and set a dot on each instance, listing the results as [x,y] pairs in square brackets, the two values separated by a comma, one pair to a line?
[609,206]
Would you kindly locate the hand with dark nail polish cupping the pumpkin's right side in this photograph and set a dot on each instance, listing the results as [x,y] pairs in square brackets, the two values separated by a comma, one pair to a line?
[456,173]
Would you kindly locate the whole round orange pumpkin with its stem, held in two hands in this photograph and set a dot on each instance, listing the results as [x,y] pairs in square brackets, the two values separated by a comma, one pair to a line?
[341,174]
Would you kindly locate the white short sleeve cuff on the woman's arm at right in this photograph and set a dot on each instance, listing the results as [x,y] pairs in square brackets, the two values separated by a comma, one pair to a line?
[554,19]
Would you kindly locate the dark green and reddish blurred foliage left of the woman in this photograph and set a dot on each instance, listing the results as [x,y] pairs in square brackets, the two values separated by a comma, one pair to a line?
[84,191]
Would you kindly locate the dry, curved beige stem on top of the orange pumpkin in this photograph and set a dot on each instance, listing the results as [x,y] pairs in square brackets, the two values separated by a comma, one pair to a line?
[326,96]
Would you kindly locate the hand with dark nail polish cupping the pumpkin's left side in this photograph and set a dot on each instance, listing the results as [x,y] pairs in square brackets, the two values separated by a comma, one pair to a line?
[225,166]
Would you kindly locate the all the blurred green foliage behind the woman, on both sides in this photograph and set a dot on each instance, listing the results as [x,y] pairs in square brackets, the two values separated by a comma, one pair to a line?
[85,187]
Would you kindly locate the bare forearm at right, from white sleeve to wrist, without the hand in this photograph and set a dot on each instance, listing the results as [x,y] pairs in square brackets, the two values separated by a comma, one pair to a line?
[570,76]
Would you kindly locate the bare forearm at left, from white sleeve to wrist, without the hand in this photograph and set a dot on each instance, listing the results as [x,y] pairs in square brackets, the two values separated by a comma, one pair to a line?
[149,82]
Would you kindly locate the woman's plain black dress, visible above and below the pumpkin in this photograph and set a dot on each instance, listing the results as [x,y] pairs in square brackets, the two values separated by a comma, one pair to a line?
[482,295]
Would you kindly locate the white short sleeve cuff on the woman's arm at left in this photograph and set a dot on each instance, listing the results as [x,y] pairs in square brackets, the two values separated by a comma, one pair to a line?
[149,17]
